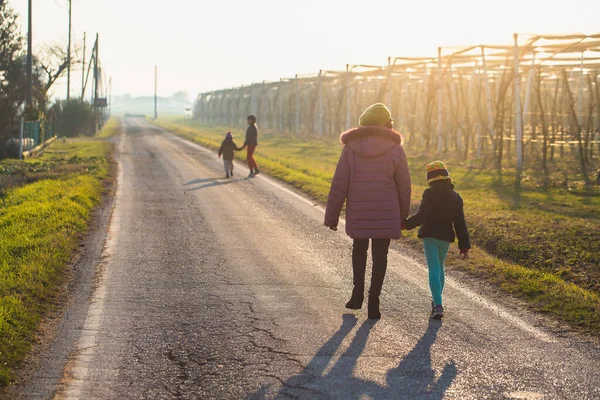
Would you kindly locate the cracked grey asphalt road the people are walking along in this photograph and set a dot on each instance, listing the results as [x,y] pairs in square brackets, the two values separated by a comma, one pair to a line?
[217,289]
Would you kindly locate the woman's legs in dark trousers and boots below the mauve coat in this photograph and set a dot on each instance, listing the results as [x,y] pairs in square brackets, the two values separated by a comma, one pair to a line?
[379,250]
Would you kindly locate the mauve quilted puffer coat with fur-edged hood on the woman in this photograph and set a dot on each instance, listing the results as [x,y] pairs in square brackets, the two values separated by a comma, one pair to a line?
[372,177]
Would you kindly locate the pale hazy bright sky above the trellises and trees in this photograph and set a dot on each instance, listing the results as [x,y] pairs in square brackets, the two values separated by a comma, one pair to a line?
[201,45]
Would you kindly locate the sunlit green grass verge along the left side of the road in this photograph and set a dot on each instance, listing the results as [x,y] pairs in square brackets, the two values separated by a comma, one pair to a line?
[47,209]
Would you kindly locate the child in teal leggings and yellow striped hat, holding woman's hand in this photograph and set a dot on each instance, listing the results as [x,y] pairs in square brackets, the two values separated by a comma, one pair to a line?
[440,215]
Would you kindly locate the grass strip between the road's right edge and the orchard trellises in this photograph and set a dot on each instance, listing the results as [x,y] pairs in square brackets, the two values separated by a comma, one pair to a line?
[542,245]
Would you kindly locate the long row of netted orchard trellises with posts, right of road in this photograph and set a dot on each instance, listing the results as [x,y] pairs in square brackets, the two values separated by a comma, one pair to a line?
[534,101]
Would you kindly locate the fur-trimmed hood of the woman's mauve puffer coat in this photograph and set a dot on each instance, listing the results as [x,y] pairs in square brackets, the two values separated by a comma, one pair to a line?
[371,141]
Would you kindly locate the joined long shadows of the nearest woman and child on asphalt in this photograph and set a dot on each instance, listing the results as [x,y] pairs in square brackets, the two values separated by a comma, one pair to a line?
[413,378]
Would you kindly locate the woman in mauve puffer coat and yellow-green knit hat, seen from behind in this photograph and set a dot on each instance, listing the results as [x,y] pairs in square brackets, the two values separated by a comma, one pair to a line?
[372,177]
